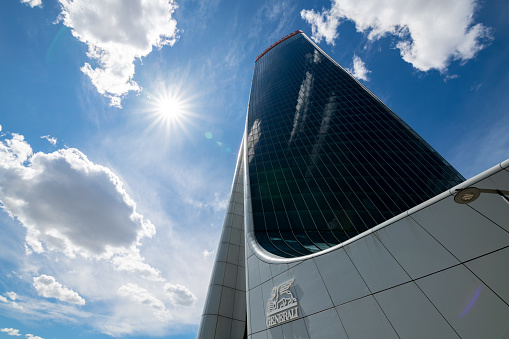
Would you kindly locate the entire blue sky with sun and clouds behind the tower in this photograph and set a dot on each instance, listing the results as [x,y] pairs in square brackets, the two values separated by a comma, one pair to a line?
[121,123]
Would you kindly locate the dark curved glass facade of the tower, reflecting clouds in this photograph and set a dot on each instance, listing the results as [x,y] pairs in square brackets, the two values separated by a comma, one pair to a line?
[328,160]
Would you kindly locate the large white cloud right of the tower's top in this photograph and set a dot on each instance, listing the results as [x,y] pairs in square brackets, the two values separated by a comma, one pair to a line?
[430,33]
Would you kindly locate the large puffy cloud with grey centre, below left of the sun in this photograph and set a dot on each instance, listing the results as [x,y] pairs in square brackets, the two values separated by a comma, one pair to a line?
[68,203]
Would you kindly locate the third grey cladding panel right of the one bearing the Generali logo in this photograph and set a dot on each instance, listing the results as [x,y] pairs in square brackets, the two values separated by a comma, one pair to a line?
[375,264]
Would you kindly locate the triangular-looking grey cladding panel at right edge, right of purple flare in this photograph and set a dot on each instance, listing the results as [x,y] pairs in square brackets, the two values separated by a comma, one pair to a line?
[492,270]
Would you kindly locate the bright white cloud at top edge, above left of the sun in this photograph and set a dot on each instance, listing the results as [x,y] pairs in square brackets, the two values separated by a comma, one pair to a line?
[117,32]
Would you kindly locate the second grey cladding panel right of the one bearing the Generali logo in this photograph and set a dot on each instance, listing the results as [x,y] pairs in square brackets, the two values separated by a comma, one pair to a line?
[341,279]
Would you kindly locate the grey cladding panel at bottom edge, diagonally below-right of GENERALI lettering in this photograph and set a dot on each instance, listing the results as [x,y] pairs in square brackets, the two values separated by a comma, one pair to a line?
[325,325]
